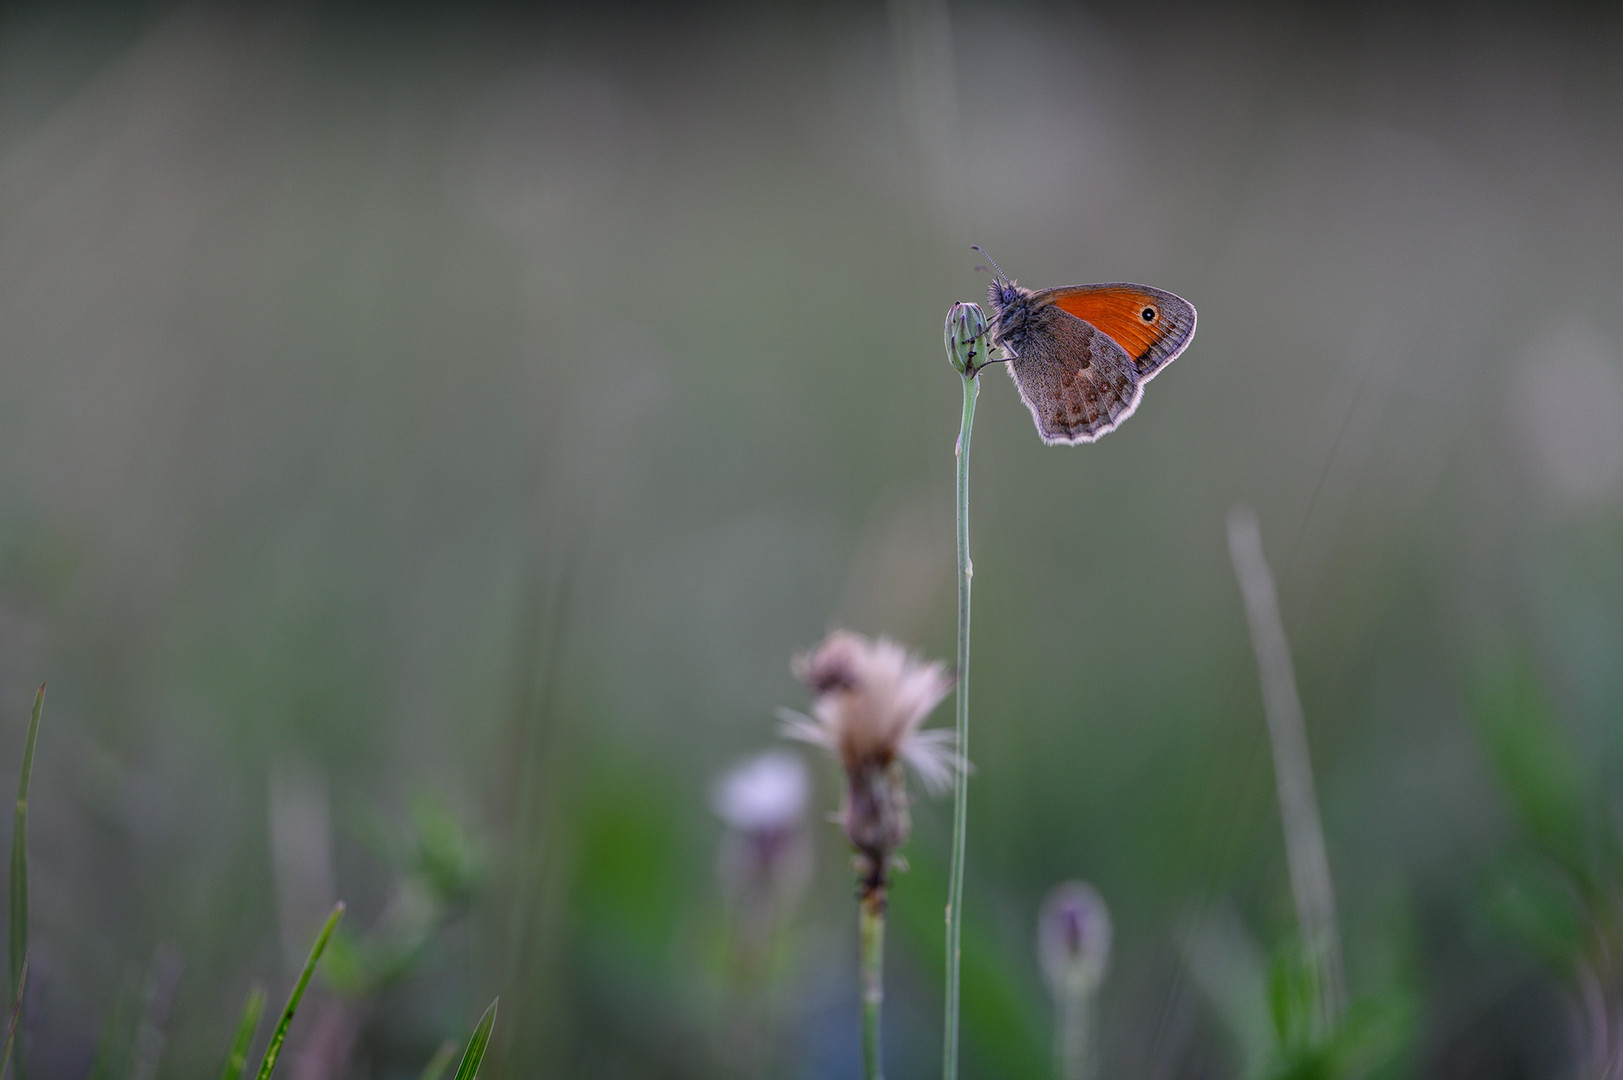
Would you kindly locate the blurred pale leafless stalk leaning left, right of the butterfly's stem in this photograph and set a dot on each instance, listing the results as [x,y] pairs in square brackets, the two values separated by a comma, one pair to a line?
[1311,884]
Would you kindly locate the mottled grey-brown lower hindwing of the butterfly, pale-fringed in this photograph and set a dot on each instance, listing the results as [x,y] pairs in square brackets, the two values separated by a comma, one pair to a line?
[1077,382]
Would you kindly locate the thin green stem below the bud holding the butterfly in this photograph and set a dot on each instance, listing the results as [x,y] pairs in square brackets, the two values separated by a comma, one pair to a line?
[955,891]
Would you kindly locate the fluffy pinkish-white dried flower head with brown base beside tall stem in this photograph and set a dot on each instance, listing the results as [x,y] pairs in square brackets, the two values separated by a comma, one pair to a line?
[871,701]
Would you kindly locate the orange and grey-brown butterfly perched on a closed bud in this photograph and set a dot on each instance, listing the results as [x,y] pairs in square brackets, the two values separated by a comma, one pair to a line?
[1082,355]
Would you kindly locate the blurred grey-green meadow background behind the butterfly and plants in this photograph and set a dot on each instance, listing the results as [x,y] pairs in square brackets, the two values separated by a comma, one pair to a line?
[428,438]
